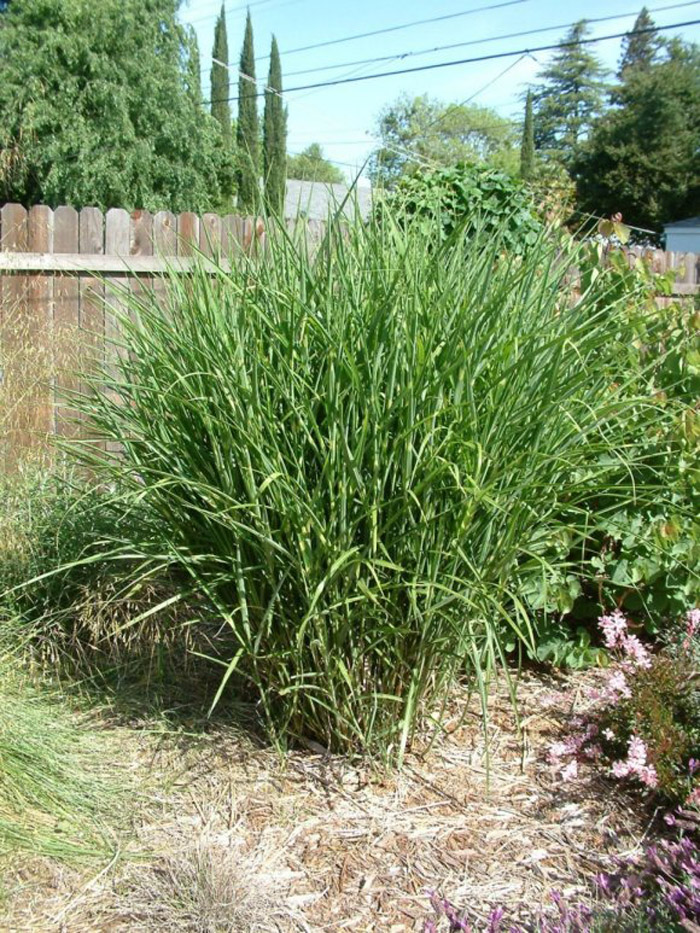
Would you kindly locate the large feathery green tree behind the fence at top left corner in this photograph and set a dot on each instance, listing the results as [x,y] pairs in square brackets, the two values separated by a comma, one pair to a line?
[97,107]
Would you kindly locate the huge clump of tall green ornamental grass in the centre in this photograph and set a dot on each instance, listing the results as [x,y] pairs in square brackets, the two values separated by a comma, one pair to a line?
[355,454]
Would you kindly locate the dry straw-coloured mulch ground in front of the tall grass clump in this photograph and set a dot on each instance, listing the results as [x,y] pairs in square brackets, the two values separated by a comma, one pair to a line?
[227,836]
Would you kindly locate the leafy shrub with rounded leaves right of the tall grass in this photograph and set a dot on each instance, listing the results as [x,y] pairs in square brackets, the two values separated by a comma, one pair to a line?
[648,555]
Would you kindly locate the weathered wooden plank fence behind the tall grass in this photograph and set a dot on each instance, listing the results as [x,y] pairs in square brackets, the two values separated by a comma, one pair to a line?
[57,309]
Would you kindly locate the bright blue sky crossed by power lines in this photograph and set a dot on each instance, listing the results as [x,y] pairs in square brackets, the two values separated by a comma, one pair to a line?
[342,119]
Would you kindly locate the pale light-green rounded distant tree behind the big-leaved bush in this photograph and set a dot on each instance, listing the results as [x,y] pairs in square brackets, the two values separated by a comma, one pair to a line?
[420,131]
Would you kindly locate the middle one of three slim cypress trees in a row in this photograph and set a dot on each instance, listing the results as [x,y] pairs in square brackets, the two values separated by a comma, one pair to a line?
[247,130]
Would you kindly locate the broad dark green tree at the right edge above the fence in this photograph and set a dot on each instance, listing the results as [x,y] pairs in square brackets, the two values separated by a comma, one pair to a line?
[643,157]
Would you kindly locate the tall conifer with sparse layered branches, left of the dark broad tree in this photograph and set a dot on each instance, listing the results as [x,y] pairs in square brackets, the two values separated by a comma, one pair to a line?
[570,97]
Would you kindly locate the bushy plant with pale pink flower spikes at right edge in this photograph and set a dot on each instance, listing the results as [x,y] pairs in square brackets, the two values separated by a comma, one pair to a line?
[644,723]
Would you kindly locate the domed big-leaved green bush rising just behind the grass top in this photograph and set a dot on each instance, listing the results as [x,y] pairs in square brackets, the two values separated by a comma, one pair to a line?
[472,197]
